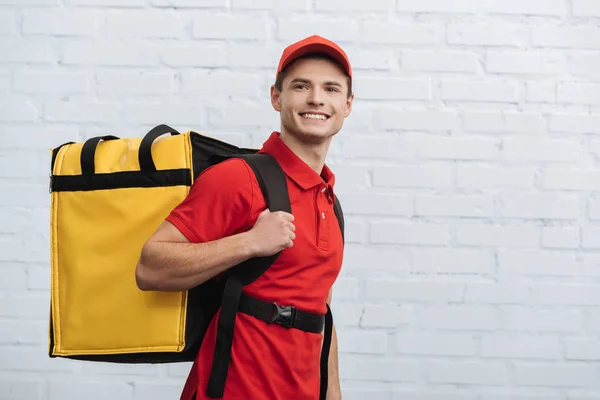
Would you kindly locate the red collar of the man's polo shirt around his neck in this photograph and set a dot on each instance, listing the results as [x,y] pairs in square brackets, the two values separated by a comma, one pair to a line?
[294,167]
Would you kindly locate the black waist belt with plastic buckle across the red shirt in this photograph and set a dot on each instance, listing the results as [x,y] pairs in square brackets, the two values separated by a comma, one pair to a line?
[286,316]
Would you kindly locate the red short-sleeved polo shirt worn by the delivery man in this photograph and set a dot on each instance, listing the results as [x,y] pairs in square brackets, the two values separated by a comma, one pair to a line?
[268,361]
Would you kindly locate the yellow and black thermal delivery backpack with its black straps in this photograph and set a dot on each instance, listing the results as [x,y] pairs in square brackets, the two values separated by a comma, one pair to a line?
[108,196]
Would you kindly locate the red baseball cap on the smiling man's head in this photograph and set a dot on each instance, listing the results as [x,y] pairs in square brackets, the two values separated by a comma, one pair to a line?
[314,44]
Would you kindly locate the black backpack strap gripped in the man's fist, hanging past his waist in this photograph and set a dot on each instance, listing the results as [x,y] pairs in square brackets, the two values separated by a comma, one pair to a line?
[273,184]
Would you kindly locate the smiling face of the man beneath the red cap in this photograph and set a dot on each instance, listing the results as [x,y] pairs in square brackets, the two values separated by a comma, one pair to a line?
[313,101]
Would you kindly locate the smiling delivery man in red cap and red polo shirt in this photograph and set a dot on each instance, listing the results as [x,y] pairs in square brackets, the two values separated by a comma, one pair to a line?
[224,221]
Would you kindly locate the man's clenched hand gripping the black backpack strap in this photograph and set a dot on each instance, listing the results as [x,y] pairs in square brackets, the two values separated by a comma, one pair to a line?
[272,233]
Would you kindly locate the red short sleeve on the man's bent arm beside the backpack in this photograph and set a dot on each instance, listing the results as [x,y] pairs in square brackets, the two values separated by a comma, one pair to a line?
[219,203]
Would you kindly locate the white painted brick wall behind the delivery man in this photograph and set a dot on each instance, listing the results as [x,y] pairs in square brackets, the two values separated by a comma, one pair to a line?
[469,172]
